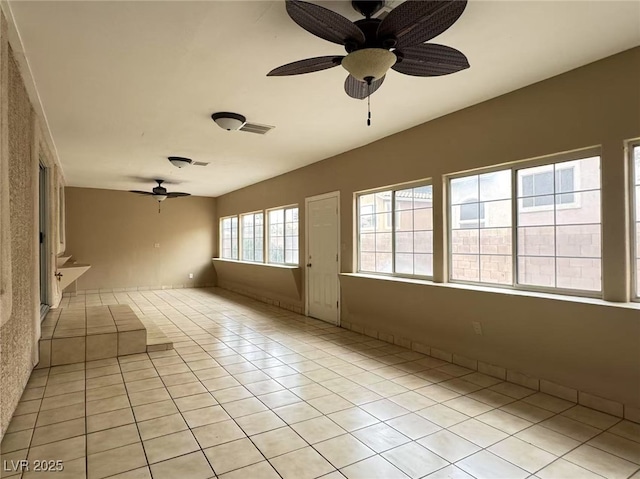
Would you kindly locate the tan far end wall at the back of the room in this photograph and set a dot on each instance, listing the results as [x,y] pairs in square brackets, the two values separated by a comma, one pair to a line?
[115,232]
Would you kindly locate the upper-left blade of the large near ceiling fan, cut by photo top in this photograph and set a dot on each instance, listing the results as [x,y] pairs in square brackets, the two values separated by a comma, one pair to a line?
[324,23]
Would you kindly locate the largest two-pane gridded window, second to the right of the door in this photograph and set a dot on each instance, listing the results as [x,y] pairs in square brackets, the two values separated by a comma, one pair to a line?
[542,220]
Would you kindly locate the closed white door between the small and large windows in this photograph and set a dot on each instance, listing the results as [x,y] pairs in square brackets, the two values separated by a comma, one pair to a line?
[323,240]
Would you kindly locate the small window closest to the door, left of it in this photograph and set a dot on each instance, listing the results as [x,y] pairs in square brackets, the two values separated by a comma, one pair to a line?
[283,236]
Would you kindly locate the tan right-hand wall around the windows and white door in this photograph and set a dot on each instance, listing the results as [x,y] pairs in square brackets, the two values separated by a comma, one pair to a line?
[588,347]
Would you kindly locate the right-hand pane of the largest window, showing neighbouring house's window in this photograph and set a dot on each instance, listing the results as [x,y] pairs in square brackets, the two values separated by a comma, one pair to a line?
[559,247]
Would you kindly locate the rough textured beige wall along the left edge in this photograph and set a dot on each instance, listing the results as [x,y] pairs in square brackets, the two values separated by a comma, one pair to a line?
[22,148]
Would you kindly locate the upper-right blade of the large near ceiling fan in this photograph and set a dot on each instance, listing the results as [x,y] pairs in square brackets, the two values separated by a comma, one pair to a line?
[416,21]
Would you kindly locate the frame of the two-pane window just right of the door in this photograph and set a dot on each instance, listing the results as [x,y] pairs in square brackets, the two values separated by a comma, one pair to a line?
[392,213]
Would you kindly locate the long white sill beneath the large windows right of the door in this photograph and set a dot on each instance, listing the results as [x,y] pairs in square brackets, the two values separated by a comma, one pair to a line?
[497,290]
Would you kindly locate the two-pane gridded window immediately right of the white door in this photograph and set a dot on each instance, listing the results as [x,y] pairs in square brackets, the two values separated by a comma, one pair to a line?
[395,232]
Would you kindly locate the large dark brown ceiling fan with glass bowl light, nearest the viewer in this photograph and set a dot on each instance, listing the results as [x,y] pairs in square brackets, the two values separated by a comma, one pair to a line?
[374,45]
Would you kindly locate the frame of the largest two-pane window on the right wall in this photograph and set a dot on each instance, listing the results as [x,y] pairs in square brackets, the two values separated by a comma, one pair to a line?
[515,167]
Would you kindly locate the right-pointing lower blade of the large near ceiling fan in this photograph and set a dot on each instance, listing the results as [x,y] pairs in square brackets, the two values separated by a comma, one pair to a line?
[430,60]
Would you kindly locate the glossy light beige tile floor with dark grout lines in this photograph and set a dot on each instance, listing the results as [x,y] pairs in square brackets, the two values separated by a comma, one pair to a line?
[253,391]
